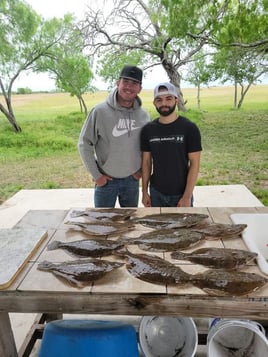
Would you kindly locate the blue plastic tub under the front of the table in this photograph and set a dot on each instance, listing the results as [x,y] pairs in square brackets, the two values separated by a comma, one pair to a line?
[91,338]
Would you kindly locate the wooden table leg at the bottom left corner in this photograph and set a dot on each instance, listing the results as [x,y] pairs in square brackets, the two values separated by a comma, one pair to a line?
[7,341]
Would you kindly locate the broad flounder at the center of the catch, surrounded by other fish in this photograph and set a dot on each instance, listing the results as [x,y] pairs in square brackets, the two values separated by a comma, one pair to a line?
[166,239]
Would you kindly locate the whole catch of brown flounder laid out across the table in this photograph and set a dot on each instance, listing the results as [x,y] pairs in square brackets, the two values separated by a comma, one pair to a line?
[172,232]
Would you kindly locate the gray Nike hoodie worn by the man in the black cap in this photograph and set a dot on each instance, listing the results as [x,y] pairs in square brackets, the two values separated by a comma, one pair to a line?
[109,142]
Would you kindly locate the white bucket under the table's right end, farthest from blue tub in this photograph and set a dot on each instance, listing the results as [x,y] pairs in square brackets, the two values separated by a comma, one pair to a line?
[236,338]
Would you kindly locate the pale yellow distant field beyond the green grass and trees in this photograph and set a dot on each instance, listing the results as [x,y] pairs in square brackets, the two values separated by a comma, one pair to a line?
[213,98]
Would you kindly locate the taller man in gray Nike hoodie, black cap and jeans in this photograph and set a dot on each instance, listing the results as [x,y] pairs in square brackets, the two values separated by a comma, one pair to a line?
[109,142]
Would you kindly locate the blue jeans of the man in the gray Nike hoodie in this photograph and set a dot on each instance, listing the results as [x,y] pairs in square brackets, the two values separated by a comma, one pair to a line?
[125,189]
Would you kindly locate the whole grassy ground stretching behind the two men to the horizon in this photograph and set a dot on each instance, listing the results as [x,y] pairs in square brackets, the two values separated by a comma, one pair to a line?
[44,154]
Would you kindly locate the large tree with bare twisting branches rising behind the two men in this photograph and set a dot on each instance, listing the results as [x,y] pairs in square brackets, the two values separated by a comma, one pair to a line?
[171,33]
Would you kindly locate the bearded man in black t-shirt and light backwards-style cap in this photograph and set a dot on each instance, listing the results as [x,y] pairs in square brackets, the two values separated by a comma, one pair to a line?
[171,149]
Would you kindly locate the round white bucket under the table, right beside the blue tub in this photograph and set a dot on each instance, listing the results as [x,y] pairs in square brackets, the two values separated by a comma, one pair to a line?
[161,336]
